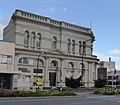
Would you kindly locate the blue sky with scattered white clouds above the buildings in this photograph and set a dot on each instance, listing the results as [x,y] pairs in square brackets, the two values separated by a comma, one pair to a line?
[103,14]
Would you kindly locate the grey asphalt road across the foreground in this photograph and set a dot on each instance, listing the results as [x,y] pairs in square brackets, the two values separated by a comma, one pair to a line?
[77,100]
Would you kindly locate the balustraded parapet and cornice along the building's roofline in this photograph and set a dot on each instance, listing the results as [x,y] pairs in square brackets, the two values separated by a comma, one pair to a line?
[48,22]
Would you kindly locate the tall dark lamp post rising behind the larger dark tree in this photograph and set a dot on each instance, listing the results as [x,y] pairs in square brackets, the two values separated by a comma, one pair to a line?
[83,52]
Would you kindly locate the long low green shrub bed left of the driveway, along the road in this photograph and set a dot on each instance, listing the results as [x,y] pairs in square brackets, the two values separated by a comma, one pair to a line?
[35,93]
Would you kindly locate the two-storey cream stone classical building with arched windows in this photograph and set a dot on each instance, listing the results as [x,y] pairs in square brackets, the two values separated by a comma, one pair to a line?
[47,50]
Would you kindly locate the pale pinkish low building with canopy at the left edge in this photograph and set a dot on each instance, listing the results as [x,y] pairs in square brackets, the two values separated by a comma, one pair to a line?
[7,70]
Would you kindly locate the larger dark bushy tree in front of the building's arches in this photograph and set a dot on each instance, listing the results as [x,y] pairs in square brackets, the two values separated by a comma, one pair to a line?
[74,83]
